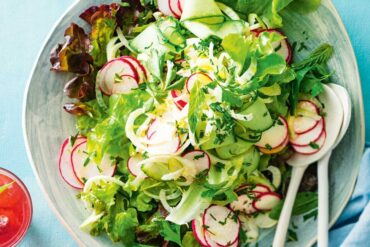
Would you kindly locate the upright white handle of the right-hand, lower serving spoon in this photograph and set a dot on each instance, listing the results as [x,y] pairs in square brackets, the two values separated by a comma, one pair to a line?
[323,210]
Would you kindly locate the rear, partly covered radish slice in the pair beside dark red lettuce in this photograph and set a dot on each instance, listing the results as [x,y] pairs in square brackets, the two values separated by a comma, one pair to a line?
[107,76]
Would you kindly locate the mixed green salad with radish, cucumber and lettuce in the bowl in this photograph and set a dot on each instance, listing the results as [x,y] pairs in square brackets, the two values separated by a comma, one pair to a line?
[186,111]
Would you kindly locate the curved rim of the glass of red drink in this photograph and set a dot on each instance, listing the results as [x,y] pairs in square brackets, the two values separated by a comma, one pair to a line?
[24,229]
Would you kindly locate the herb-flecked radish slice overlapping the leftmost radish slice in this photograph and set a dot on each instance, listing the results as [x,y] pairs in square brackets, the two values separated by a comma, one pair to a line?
[85,169]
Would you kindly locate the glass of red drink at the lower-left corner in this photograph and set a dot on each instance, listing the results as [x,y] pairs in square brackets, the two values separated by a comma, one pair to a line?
[15,209]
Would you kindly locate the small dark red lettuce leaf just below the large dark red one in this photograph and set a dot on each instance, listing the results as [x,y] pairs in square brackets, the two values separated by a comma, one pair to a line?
[80,87]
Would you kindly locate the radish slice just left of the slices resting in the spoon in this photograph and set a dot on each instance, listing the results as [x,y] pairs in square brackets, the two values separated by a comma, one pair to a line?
[274,136]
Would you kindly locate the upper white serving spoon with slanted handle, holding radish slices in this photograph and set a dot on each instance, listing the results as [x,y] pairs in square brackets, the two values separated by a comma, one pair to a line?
[299,162]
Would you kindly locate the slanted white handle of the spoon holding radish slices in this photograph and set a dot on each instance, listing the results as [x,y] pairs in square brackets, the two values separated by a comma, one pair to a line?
[283,224]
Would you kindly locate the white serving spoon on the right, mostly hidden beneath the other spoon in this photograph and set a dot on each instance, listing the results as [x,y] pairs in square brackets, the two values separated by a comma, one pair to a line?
[323,165]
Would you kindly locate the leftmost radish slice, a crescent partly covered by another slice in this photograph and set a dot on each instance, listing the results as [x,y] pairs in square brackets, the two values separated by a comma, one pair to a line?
[65,165]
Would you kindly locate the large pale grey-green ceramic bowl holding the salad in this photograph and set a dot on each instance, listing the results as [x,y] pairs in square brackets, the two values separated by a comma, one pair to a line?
[46,124]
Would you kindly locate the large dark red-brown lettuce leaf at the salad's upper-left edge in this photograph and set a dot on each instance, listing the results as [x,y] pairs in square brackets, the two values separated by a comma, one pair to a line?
[72,56]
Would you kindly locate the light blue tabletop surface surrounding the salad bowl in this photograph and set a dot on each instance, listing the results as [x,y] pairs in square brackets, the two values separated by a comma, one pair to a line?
[23,28]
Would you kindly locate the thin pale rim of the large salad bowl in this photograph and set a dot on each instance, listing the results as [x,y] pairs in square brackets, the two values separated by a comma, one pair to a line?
[46,195]
